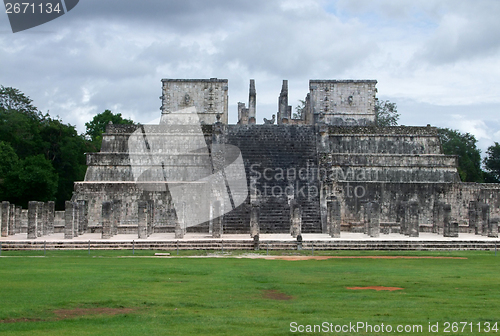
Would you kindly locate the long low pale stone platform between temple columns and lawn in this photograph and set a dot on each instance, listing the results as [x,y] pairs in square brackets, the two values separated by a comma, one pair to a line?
[203,241]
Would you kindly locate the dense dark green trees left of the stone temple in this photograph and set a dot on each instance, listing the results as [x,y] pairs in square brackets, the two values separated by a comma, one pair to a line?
[41,157]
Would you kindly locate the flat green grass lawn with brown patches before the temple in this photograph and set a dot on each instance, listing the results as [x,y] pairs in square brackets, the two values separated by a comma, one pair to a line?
[233,296]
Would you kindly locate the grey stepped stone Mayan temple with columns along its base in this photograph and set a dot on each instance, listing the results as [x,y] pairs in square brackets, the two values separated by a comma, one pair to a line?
[332,172]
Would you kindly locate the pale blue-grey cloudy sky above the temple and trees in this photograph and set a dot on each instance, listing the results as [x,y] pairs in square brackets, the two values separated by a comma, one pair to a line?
[438,60]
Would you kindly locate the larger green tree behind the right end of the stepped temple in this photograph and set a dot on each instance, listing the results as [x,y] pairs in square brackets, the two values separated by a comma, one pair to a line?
[469,156]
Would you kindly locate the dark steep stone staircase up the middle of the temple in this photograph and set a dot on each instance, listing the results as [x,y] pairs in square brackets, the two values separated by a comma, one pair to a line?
[267,151]
